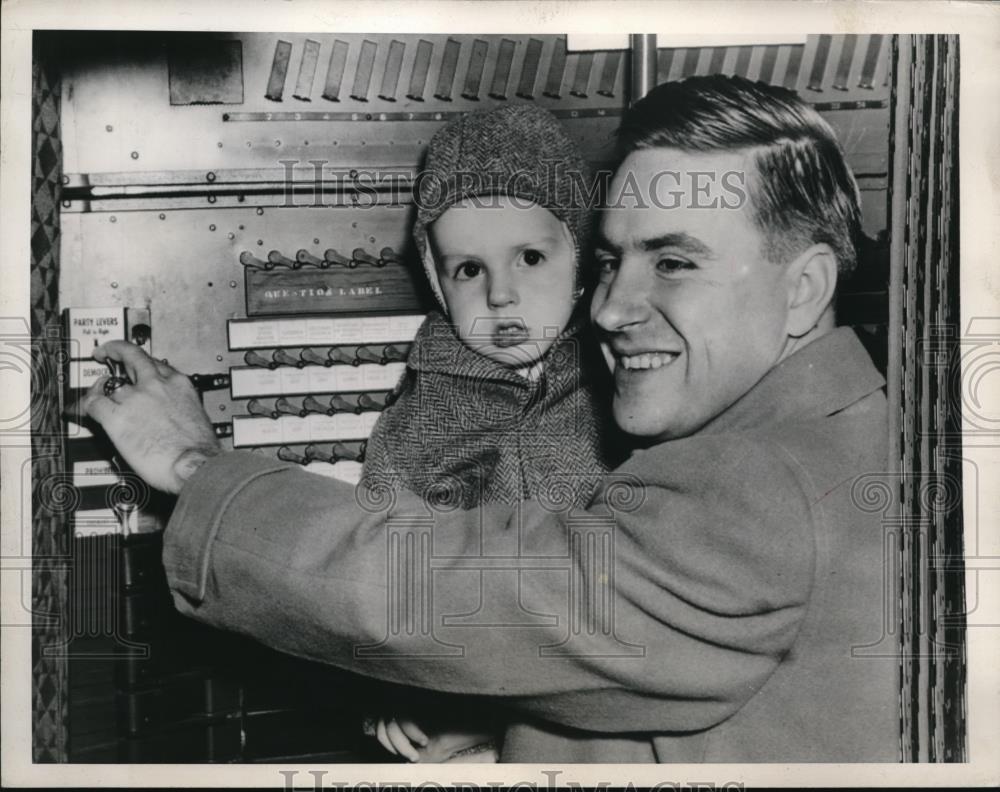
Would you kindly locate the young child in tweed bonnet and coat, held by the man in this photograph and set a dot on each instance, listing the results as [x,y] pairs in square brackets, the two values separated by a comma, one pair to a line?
[503,395]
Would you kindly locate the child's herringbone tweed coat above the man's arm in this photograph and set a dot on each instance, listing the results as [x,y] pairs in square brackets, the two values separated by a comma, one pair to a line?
[463,429]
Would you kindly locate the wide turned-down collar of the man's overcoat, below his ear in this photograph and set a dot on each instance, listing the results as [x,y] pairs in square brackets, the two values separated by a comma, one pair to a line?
[826,376]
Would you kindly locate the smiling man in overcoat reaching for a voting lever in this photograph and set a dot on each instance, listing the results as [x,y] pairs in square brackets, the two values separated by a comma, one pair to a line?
[733,608]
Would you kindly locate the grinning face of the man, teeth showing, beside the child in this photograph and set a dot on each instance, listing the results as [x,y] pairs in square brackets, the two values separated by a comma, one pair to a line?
[690,312]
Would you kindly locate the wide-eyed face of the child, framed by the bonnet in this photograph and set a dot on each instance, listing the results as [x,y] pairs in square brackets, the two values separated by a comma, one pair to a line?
[507,274]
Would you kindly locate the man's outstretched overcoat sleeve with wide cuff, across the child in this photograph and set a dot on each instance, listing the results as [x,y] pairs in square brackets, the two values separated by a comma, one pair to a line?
[663,607]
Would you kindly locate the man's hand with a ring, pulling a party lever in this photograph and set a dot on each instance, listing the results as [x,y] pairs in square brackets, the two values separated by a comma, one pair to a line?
[157,423]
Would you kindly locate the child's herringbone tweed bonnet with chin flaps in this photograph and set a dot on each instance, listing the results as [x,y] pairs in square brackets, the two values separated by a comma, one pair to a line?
[517,150]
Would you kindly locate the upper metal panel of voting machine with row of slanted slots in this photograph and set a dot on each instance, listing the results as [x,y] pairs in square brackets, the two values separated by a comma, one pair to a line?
[106,81]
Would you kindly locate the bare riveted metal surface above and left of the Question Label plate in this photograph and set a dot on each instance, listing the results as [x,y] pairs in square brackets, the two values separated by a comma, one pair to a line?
[137,261]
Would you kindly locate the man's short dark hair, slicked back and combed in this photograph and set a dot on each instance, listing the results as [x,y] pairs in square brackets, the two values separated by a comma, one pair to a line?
[802,192]
